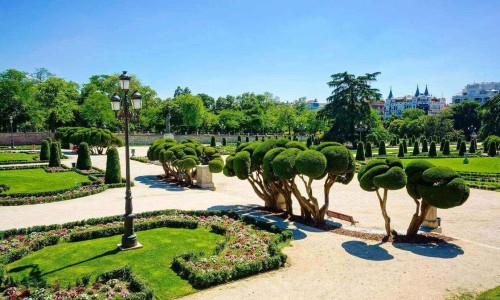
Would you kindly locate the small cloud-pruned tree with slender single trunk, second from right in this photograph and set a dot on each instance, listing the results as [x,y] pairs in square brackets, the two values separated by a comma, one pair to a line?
[387,175]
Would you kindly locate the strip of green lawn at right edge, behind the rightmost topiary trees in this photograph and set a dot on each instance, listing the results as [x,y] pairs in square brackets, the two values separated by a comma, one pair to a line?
[476,164]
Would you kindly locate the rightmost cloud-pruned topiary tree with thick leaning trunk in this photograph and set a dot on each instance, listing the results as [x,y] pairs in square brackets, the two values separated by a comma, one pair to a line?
[440,187]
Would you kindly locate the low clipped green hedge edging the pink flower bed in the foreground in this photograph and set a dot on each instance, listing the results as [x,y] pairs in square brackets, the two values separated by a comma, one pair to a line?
[179,264]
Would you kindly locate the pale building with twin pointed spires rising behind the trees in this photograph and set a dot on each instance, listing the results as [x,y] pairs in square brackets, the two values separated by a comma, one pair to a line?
[425,101]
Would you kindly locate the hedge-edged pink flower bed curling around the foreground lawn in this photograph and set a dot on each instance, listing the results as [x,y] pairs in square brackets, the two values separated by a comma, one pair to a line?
[249,246]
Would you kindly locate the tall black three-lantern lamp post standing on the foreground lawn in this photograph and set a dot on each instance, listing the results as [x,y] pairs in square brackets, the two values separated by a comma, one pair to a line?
[129,238]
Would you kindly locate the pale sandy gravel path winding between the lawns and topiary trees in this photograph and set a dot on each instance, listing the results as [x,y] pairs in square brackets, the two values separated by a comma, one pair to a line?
[321,265]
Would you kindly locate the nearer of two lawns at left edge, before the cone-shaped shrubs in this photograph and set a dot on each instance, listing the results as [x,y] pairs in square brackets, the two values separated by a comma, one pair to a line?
[37,180]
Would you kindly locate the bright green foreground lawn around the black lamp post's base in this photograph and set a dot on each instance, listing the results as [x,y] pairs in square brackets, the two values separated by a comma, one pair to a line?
[69,261]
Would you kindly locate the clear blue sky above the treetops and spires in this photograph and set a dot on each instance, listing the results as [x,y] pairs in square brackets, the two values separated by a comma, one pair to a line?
[288,48]
